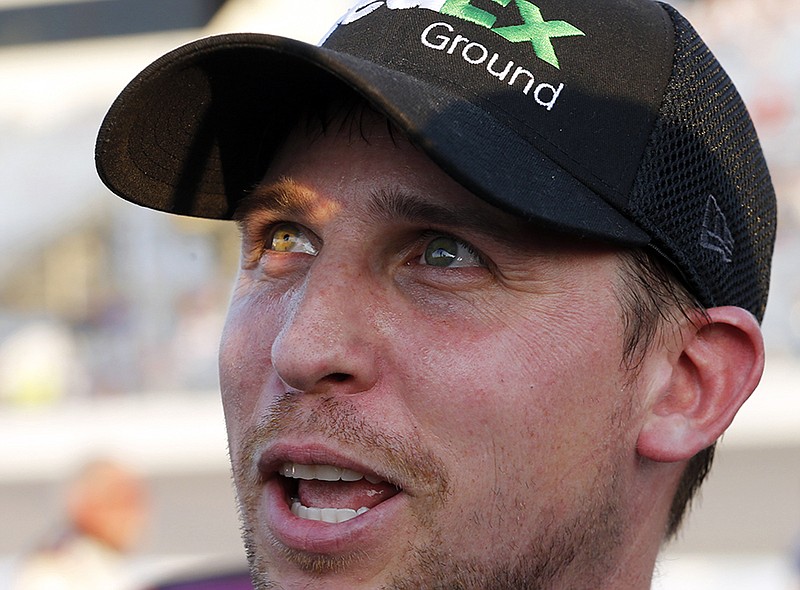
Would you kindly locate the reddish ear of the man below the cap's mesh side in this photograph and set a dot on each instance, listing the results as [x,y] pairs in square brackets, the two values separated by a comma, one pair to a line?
[715,368]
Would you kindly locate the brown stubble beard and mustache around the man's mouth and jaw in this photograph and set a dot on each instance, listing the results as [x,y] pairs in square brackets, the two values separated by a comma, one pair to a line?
[556,549]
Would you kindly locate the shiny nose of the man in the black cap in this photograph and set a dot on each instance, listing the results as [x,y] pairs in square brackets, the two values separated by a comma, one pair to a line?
[326,342]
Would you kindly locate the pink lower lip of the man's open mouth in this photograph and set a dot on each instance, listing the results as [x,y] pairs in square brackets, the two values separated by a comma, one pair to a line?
[367,530]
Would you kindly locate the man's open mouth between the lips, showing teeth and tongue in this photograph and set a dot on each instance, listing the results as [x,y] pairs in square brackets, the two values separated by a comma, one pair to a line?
[331,494]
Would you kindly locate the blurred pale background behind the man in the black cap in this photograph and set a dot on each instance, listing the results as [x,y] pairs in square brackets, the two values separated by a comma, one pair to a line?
[110,314]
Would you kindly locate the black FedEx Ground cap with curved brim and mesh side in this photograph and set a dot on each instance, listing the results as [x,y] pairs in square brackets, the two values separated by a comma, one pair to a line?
[603,119]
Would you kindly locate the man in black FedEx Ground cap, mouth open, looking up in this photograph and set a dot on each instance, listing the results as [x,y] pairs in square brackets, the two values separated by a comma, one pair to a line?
[502,270]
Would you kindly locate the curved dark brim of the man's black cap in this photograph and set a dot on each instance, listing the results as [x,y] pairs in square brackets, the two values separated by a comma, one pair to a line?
[190,132]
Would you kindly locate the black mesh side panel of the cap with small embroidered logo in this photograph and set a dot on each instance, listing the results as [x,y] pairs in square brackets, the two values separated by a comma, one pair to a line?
[703,190]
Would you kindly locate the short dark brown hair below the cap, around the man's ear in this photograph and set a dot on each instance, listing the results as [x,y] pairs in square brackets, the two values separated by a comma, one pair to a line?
[652,299]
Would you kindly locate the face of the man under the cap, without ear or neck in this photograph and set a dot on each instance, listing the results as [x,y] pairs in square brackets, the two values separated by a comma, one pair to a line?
[386,323]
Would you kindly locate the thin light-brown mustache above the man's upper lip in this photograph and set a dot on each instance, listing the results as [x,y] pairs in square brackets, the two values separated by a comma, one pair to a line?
[402,457]
